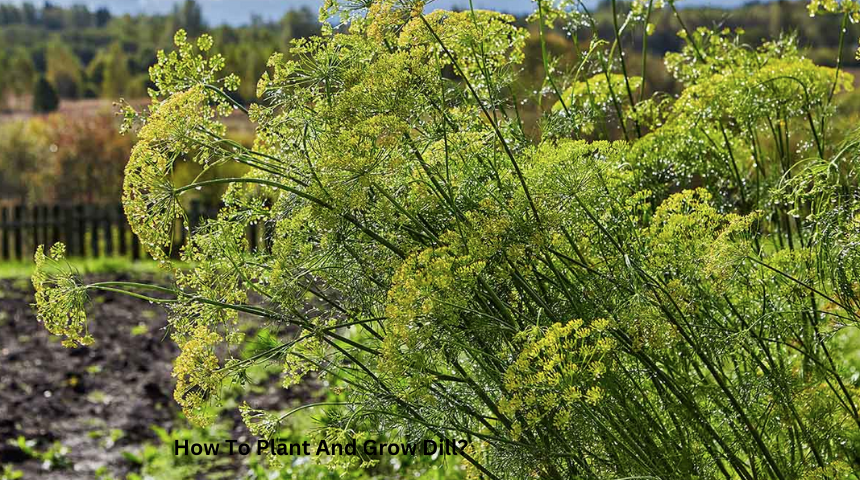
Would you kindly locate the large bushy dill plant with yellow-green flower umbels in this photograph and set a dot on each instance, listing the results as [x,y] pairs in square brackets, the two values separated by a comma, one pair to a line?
[670,305]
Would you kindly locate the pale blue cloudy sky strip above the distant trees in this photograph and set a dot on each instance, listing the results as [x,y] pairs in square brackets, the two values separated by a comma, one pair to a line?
[237,12]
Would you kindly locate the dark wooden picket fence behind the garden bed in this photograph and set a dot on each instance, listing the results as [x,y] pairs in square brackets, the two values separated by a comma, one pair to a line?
[90,231]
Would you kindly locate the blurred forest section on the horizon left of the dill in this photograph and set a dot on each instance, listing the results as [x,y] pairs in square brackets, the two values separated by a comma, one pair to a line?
[87,54]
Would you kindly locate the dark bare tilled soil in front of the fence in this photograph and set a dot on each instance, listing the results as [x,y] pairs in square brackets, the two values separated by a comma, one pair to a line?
[49,393]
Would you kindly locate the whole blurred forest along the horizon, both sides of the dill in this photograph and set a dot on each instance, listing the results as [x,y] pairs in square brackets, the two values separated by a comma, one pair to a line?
[88,54]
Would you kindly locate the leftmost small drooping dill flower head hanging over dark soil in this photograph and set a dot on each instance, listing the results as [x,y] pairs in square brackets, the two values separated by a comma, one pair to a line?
[60,298]
